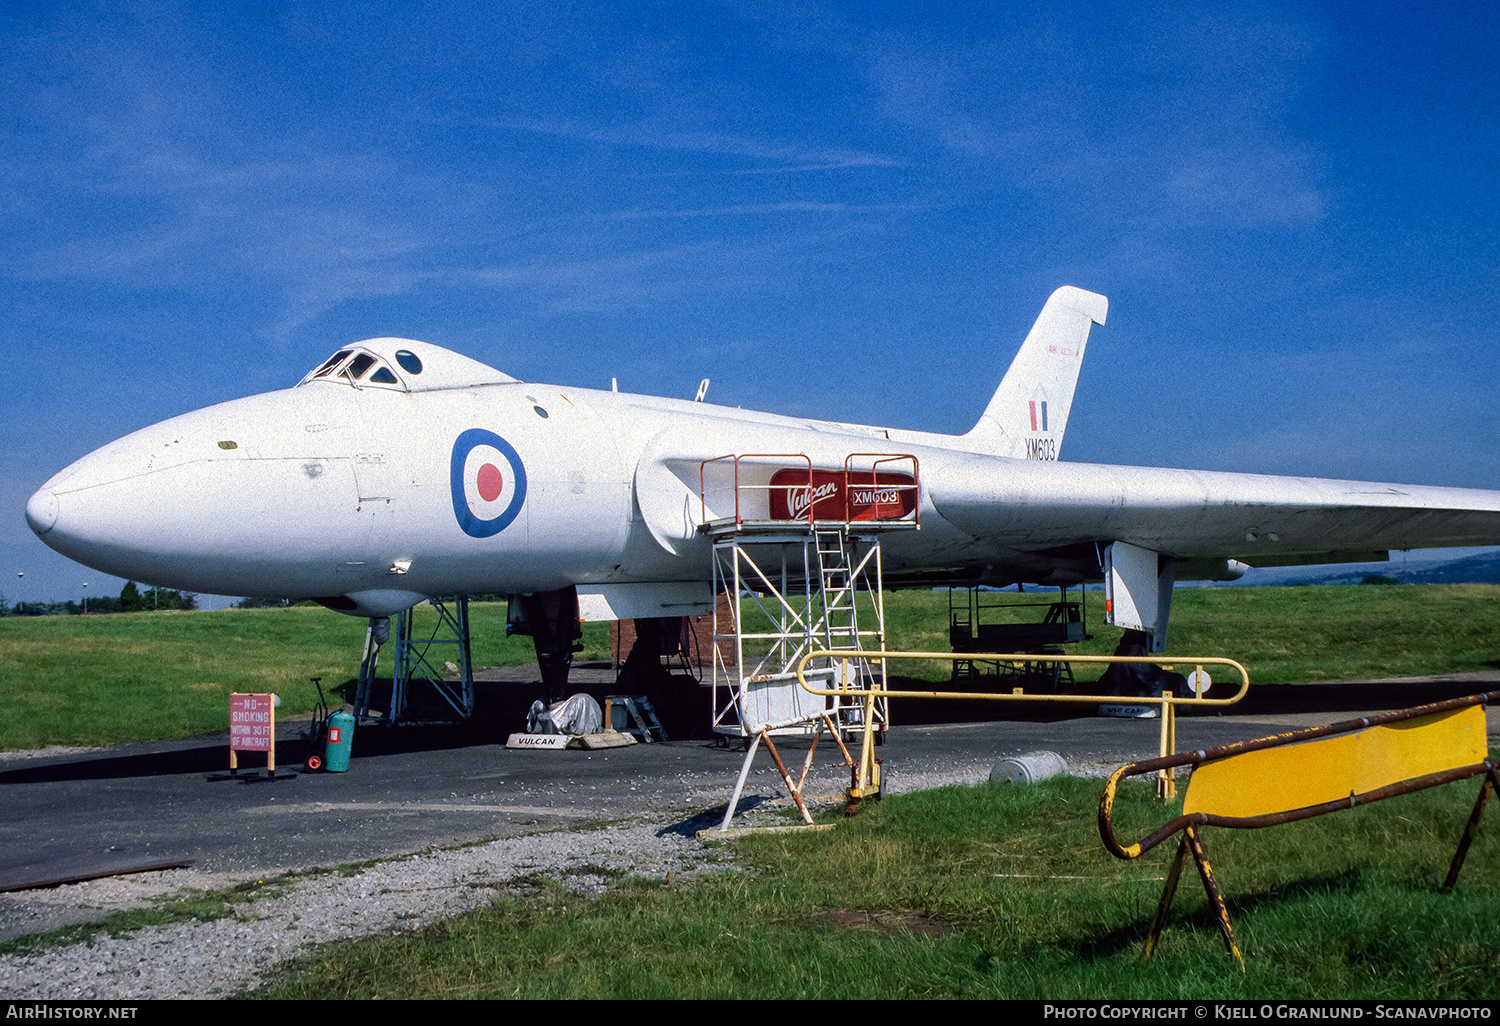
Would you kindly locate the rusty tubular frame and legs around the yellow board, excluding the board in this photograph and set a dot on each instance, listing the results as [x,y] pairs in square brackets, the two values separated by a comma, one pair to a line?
[1190,824]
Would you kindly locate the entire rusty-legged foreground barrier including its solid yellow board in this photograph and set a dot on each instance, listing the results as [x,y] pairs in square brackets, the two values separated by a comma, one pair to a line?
[1312,773]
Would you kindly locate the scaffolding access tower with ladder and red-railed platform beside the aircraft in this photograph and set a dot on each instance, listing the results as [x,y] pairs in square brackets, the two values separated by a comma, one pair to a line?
[799,554]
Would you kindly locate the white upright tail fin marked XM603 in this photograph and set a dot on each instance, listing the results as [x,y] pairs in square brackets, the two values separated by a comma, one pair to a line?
[1030,410]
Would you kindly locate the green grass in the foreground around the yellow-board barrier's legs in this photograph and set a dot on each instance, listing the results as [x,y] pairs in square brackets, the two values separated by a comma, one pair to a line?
[985,893]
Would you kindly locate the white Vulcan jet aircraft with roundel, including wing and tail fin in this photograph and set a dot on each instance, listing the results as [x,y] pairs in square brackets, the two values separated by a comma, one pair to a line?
[400,470]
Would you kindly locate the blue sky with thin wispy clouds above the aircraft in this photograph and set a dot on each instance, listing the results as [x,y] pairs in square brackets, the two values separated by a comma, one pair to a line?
[842,209]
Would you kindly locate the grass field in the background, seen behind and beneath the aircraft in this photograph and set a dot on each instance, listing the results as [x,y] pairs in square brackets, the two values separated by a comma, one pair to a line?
[101,680]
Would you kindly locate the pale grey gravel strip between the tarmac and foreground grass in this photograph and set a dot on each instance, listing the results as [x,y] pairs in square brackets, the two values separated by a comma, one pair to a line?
[233,955]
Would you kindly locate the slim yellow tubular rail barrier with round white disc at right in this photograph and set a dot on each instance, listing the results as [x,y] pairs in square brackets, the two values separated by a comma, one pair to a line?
[868,776]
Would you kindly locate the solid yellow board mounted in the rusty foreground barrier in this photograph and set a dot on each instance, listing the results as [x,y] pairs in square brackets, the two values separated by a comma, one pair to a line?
[1313,773]
